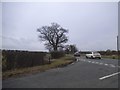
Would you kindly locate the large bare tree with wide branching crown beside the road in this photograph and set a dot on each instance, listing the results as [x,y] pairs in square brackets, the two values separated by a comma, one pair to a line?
[54,36]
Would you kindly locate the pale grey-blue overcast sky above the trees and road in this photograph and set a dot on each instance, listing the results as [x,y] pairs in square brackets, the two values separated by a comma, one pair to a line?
[92,26]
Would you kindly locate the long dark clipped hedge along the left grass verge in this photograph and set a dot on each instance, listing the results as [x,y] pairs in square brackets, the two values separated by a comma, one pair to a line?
[12,59]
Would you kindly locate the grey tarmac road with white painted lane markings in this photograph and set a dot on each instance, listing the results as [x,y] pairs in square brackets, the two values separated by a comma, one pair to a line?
[85,73]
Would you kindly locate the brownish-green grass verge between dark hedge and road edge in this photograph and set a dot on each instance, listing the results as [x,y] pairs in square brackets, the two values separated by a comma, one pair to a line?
[30,70]
